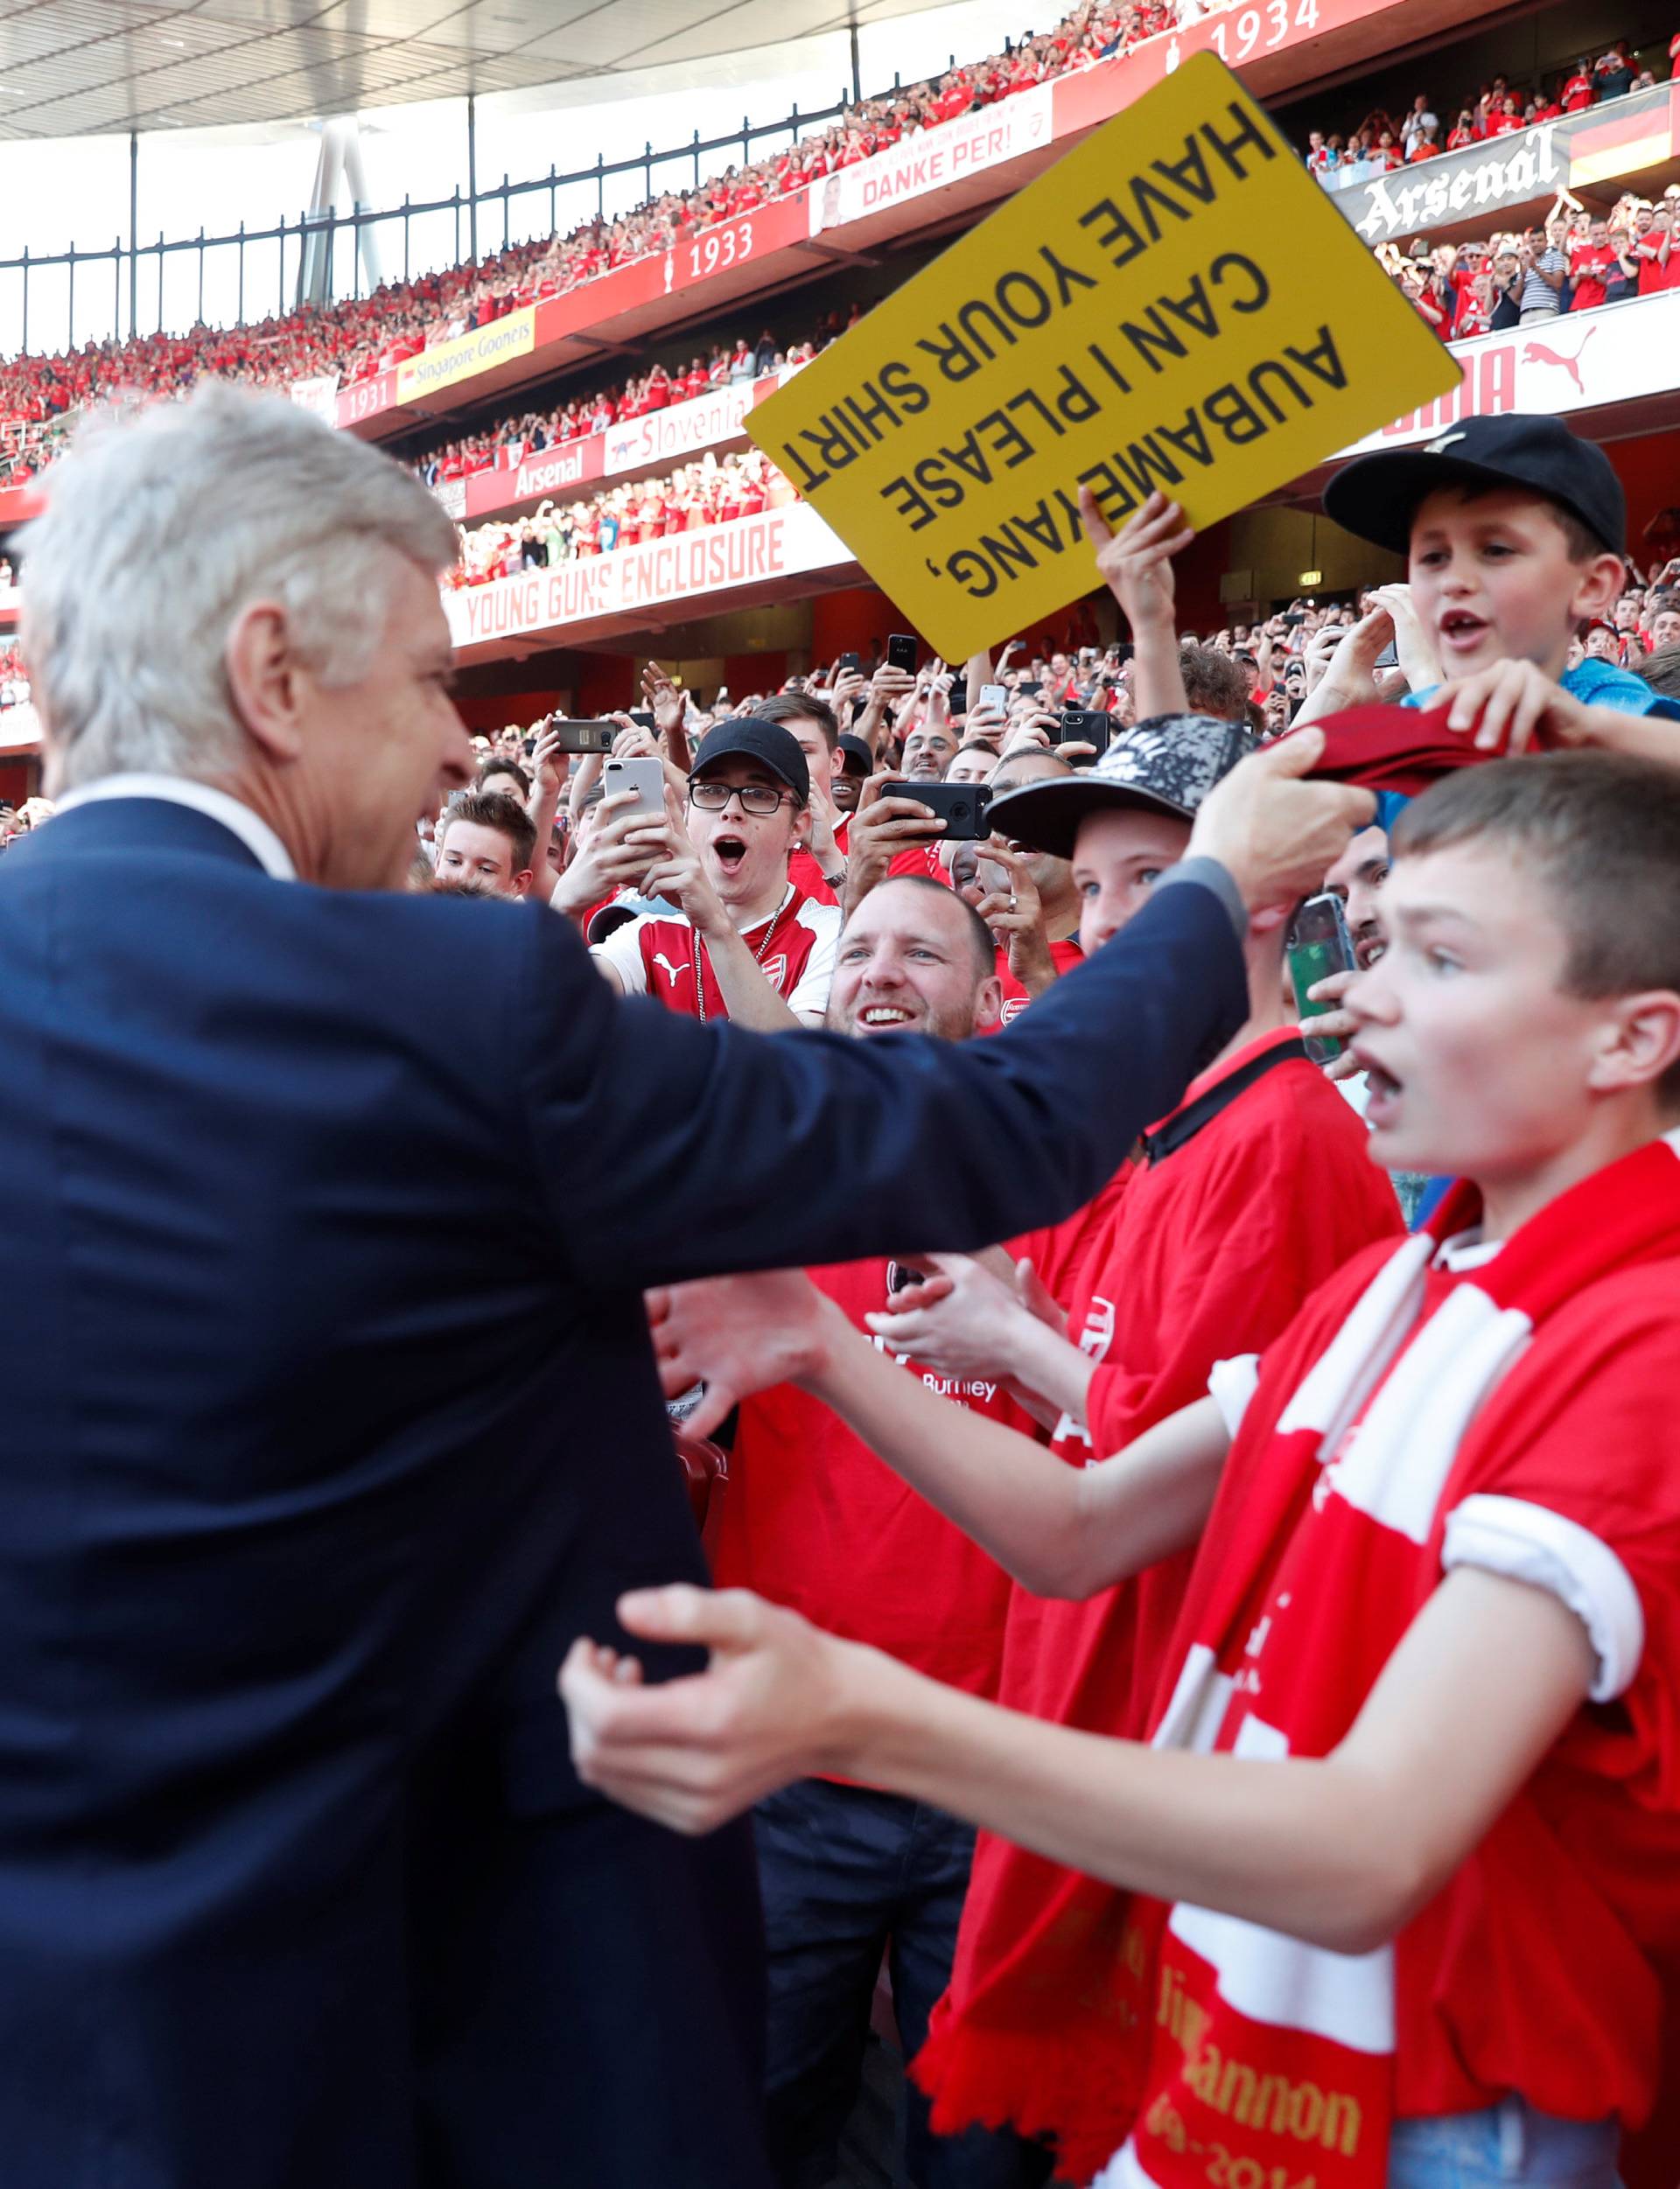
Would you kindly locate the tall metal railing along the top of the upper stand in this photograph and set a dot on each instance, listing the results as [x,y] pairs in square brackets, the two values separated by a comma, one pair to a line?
[271,262]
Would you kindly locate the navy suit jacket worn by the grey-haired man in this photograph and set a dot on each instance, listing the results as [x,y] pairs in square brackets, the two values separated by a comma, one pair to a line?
[327,1420]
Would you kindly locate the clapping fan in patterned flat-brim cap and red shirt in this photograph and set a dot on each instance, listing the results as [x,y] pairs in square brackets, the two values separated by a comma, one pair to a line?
[1254,1192]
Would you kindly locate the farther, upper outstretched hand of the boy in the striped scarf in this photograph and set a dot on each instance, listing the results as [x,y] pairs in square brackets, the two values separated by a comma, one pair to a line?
[737,1336]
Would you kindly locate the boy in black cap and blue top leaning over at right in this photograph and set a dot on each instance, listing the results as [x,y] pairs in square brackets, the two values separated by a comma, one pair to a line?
[1515,537]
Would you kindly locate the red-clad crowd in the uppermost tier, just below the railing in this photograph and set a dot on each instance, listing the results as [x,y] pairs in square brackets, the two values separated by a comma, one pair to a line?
[365,336]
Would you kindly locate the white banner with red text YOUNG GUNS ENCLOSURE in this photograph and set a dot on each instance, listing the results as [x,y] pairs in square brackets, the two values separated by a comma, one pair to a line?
[680,570]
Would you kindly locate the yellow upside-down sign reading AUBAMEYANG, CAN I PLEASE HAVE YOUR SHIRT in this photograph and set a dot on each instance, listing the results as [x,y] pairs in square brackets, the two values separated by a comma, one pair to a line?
[1177,303]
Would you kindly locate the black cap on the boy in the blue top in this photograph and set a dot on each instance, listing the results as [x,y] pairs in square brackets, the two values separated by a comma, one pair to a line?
[1377,496]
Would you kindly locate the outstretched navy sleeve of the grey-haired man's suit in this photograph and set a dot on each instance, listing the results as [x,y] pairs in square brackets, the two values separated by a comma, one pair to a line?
[676,1150]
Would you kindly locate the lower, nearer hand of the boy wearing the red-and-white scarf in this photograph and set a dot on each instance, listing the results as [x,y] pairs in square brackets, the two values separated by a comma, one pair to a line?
[695,1752]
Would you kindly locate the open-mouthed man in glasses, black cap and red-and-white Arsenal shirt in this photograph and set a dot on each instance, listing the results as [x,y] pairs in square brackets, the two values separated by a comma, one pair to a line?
[746,942]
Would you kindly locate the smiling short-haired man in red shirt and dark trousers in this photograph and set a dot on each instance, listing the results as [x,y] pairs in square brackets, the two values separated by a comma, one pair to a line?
[814,1520]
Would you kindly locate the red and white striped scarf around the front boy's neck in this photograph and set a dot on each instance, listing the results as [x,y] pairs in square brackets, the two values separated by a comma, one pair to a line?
[1263,2048]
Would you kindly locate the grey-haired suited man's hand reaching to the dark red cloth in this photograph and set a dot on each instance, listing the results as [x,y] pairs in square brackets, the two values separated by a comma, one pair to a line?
[1274,833]
